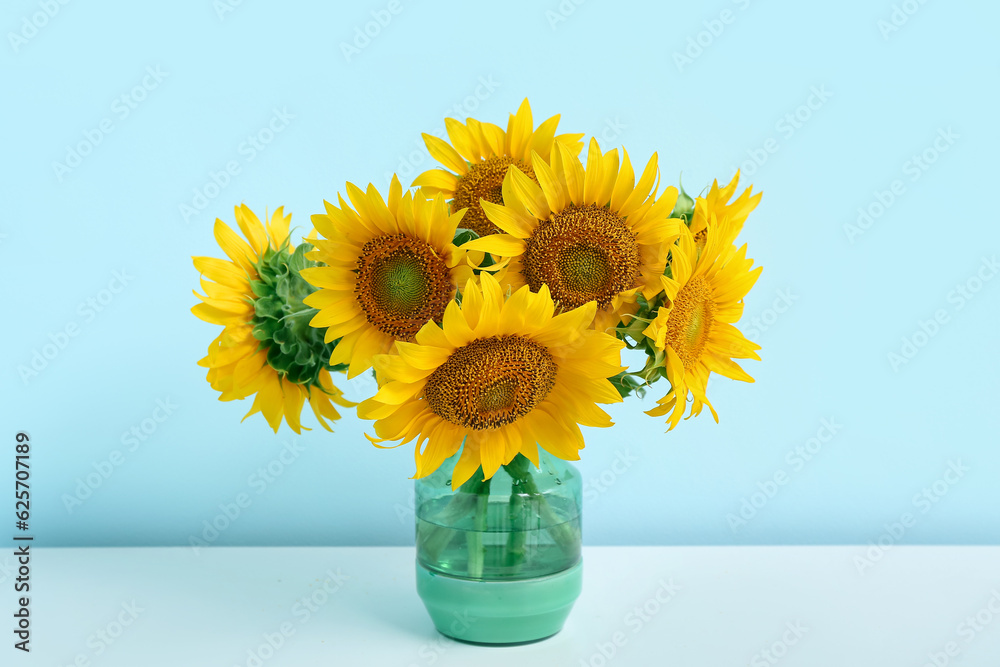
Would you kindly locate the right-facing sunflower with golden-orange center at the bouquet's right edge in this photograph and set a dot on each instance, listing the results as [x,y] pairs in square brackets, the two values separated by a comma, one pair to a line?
[694,330]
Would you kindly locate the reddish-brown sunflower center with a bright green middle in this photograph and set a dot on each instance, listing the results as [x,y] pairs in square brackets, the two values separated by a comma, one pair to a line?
[402,283]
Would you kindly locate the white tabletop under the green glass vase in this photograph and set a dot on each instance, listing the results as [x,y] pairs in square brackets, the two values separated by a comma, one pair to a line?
[716,606]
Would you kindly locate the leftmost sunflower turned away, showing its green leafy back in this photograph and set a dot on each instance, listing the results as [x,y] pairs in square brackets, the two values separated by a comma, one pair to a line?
[266,347]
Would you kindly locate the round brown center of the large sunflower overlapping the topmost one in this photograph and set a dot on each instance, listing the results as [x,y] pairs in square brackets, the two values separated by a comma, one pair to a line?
[584,253]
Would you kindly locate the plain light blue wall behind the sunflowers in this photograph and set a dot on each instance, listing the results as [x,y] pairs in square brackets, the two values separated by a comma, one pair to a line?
[832,303]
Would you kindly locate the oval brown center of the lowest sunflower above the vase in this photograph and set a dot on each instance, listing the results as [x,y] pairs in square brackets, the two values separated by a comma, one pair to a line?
[491,382]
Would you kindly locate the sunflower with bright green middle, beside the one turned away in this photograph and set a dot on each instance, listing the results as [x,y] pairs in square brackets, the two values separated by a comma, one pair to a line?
[391,267]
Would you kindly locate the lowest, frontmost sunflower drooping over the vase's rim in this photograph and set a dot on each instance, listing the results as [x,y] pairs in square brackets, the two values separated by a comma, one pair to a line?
[505,376]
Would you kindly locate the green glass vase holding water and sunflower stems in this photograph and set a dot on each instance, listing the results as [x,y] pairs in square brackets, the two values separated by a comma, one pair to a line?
[498,560]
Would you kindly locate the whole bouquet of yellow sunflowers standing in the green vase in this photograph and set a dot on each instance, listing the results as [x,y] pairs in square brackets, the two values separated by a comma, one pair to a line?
[492,302]
